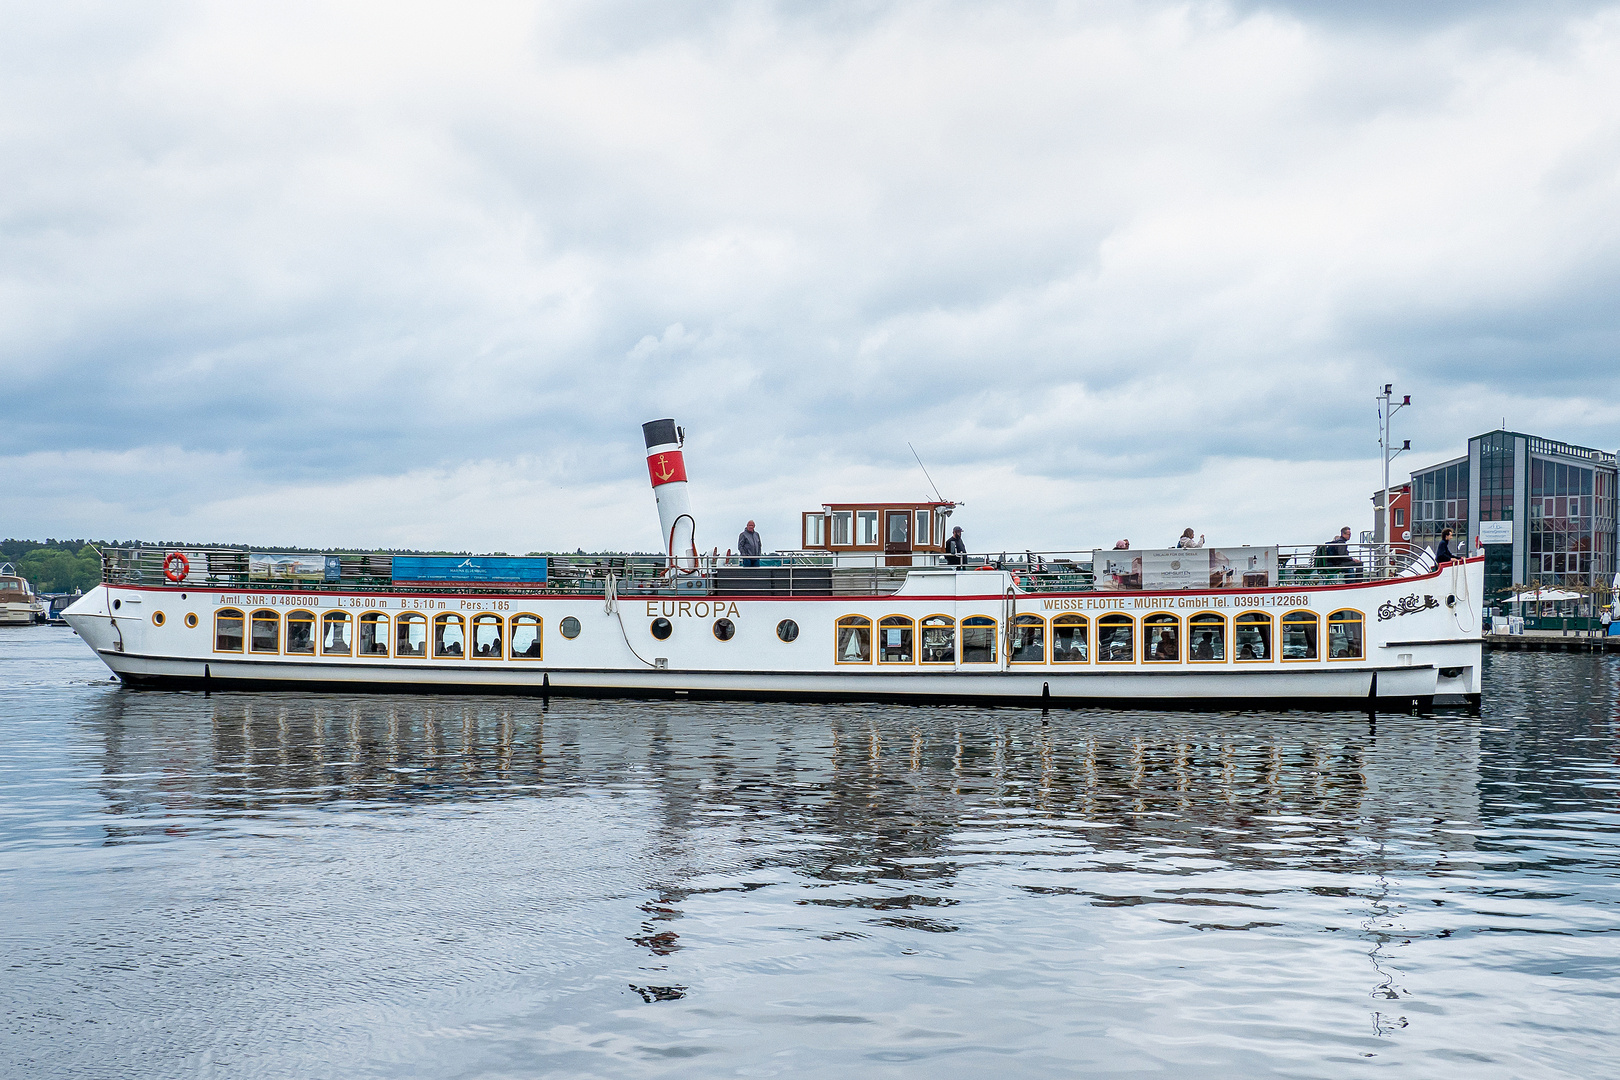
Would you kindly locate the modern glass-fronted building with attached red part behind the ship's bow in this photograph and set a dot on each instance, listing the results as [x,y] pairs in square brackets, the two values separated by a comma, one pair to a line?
[1543,509]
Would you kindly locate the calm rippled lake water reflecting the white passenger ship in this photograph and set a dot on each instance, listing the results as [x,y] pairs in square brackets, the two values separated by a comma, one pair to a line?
[344,887]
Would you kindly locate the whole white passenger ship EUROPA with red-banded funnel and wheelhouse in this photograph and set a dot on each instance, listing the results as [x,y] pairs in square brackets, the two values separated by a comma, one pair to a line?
[868,610]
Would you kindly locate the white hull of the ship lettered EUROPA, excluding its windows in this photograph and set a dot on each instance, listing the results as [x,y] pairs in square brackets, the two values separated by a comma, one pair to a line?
[1412,655]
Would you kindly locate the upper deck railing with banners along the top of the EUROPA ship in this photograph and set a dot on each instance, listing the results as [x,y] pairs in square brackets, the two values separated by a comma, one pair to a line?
[780,574]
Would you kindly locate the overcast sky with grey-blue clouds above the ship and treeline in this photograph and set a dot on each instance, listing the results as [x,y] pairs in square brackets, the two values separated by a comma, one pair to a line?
[416,274]
